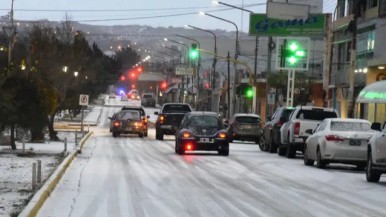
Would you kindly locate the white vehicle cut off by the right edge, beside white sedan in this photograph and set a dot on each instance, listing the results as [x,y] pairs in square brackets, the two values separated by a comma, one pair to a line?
[376,156]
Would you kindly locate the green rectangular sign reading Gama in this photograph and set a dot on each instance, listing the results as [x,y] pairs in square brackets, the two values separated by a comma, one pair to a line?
[261,25]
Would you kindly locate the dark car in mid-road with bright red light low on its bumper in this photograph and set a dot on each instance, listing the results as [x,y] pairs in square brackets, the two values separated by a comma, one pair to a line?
[202,131]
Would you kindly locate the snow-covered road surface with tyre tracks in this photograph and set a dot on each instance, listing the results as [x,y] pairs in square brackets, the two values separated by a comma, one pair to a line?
[129,176]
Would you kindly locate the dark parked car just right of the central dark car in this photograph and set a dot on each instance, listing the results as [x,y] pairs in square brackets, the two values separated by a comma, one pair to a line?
[245,127]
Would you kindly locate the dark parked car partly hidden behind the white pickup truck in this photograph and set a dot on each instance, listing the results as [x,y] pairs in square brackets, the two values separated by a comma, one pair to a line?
[271,130]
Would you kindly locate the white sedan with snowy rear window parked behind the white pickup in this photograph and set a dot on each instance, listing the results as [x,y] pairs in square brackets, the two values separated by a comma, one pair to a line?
[338,140]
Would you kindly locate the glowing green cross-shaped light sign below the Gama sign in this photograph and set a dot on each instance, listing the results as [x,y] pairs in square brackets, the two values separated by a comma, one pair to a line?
[293,53]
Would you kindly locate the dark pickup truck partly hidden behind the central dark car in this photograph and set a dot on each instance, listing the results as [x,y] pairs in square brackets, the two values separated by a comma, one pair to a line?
[169,118]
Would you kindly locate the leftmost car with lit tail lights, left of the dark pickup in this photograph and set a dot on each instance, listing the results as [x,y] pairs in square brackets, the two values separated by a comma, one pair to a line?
[126,122]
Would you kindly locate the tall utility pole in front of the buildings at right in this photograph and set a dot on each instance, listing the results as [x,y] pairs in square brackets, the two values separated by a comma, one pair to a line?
[353,29]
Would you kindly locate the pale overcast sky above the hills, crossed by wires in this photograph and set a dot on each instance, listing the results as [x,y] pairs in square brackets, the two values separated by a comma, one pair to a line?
[177,13]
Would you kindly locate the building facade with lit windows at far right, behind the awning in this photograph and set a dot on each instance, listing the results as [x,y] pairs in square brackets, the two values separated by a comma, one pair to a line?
[369,58]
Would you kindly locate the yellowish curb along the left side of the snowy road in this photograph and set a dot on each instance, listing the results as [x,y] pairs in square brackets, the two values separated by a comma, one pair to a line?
[37,201]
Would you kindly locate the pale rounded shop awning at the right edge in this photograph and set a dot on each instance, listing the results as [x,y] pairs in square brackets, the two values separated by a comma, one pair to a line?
[373,93]
